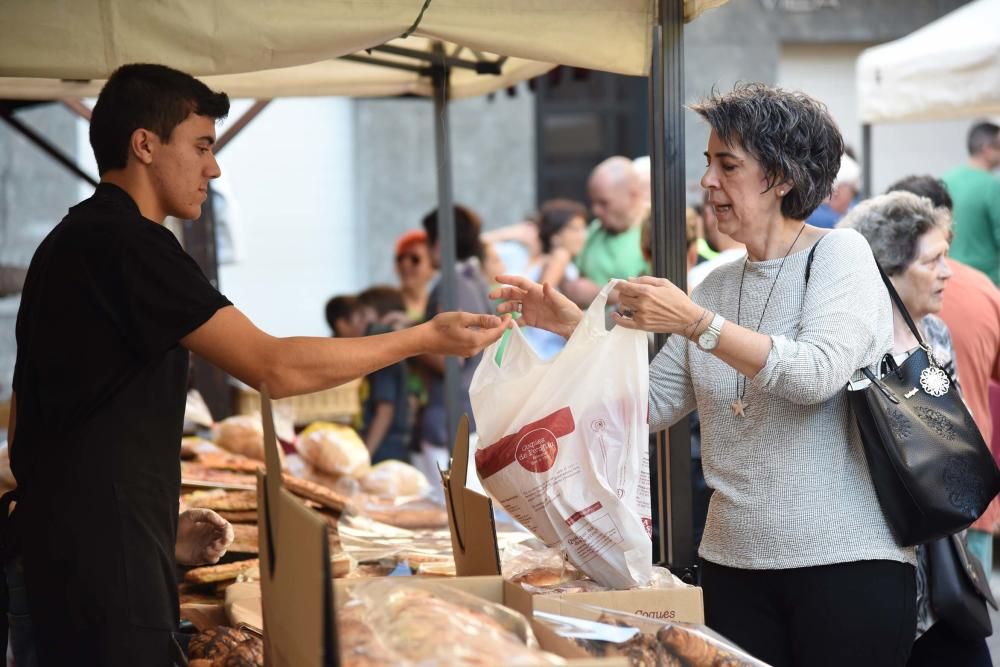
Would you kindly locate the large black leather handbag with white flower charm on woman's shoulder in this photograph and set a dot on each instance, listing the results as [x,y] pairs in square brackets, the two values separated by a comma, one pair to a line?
[932,471]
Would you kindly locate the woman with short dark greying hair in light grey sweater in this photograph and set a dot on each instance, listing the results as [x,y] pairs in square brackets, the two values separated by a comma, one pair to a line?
[798,563]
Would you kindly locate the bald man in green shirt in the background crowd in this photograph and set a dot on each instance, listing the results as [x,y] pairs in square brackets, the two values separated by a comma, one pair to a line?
[613,247]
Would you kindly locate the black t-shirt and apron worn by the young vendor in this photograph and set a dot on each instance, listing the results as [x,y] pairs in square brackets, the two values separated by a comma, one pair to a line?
[100,381]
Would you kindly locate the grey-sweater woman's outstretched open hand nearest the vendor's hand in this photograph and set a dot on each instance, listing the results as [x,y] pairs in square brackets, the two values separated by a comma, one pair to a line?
[540,305]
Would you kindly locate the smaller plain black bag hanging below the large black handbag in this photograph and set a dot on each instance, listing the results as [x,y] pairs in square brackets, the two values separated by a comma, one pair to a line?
[959,589]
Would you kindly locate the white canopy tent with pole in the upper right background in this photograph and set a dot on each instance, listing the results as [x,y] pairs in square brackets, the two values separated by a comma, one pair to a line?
[948,69]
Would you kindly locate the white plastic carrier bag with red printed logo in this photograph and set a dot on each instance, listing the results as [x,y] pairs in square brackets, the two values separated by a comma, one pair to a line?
[563,444]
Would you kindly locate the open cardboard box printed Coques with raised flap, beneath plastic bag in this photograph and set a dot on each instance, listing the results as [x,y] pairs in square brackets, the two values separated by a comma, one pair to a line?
[474,542]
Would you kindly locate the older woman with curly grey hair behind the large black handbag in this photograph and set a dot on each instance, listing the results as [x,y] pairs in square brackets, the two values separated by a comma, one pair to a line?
[910,239]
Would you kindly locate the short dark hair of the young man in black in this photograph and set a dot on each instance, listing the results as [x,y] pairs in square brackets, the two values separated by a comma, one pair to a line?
[153,97]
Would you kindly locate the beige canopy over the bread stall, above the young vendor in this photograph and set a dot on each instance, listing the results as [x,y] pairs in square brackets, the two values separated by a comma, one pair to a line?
[87,39]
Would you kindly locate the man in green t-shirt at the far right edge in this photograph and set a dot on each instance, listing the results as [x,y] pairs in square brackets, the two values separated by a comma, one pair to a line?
[976,193]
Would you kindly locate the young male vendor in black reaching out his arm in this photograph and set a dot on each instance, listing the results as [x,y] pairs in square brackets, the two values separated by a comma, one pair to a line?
[110,309]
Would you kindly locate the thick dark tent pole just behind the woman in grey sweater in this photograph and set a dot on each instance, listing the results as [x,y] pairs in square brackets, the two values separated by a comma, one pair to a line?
[671,463]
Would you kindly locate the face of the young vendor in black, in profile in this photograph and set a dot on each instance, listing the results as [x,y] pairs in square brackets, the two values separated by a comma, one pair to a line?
[182,167]
